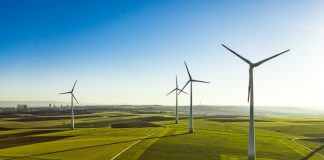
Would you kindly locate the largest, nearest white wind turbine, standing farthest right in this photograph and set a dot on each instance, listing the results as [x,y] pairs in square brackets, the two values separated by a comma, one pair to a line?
[251,149]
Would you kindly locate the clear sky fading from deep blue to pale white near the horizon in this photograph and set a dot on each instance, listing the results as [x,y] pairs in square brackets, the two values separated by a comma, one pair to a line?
[128,52]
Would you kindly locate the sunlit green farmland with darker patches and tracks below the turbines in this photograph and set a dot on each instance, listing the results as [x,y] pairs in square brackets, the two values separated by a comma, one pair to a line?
[126,135]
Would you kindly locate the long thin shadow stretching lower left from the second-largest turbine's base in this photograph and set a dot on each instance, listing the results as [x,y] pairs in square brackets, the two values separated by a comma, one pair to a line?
[101,145]
